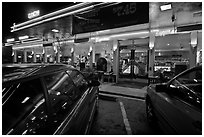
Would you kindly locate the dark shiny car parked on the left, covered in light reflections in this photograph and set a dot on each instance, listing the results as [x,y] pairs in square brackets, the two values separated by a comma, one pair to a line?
[47,99]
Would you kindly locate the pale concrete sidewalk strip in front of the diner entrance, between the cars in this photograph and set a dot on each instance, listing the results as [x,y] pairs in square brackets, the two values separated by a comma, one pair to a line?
[124,89]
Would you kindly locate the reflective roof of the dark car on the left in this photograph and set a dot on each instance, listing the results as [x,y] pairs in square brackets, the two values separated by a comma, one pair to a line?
[13,72]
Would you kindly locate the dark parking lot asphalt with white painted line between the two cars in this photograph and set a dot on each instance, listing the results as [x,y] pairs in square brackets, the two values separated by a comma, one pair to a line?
[110,119]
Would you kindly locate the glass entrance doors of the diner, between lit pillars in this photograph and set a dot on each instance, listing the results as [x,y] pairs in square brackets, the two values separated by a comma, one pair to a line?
[133,61]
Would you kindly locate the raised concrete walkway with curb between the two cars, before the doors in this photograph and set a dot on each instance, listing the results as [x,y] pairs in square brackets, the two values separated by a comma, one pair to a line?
[111,88]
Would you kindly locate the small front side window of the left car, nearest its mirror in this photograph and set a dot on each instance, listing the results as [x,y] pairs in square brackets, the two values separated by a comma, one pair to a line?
[79,80]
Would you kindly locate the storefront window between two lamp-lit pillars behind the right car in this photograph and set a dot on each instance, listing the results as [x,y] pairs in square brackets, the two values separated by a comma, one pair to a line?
[172,54]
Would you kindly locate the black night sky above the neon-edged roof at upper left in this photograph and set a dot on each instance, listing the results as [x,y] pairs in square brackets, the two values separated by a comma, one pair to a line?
[16,12]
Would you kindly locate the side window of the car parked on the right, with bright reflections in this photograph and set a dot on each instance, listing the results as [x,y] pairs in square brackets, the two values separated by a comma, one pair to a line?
[189,86]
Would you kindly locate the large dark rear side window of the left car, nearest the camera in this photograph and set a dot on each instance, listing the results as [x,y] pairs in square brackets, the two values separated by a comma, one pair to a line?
[24,109]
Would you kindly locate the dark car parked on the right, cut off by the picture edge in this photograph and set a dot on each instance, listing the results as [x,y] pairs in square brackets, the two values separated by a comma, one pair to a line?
[177,105]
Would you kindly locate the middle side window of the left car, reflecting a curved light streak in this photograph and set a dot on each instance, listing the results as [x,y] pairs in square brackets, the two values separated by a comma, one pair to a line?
[62,94]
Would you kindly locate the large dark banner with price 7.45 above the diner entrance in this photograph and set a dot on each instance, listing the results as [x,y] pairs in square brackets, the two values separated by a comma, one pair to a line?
[118,15]
